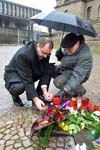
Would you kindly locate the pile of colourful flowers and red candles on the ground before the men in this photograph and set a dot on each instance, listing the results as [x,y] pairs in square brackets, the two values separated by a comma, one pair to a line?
[70,116]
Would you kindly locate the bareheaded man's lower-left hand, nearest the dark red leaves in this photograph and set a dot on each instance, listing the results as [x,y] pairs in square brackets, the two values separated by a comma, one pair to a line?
[39,103]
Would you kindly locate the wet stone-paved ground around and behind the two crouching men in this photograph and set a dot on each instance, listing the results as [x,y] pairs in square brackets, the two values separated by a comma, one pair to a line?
[15,123]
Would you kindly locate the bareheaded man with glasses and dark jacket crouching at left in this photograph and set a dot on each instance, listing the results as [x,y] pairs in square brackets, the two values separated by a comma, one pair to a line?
[28,65]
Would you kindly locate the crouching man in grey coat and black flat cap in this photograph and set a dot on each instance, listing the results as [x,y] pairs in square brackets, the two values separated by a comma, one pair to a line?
[75,67]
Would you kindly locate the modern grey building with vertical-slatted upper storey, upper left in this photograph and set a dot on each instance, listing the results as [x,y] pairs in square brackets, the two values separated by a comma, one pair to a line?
[15,24]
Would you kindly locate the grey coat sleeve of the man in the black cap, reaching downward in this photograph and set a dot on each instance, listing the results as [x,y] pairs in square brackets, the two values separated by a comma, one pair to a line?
[80,72]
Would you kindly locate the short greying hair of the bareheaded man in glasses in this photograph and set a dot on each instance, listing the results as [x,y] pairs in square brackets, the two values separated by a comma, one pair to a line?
[43,41]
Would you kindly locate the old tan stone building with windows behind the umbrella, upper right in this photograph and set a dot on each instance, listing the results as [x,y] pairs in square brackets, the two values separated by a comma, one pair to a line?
[86,9]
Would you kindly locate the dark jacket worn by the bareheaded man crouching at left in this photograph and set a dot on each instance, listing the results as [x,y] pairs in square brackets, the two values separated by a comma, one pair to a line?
[27,68]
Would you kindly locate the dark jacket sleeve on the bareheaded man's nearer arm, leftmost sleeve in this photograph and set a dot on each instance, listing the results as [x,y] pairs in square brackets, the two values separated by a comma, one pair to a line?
[24,68]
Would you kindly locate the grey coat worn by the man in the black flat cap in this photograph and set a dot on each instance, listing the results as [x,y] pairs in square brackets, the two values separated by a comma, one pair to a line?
[77,67]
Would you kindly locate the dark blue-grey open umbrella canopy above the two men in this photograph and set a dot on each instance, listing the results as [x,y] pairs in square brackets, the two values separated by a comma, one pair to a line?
[65,22]
